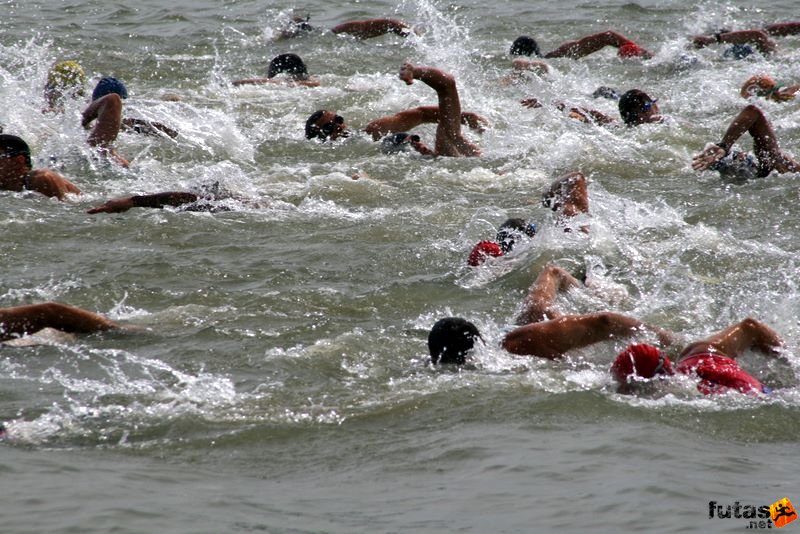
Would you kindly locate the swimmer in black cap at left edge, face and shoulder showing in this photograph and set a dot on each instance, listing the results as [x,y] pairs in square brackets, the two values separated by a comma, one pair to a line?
[17,173]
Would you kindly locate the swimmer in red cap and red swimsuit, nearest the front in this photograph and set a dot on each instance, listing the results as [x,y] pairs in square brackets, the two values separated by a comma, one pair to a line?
[712,360]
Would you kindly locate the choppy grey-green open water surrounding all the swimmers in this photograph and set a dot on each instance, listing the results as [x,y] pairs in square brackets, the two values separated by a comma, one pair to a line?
[280,383]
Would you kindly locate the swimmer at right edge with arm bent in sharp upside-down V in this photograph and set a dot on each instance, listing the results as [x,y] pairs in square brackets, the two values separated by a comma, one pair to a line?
[737,165]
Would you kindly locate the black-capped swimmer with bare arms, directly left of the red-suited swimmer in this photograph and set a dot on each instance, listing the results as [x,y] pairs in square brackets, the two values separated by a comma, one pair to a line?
[542,330]
